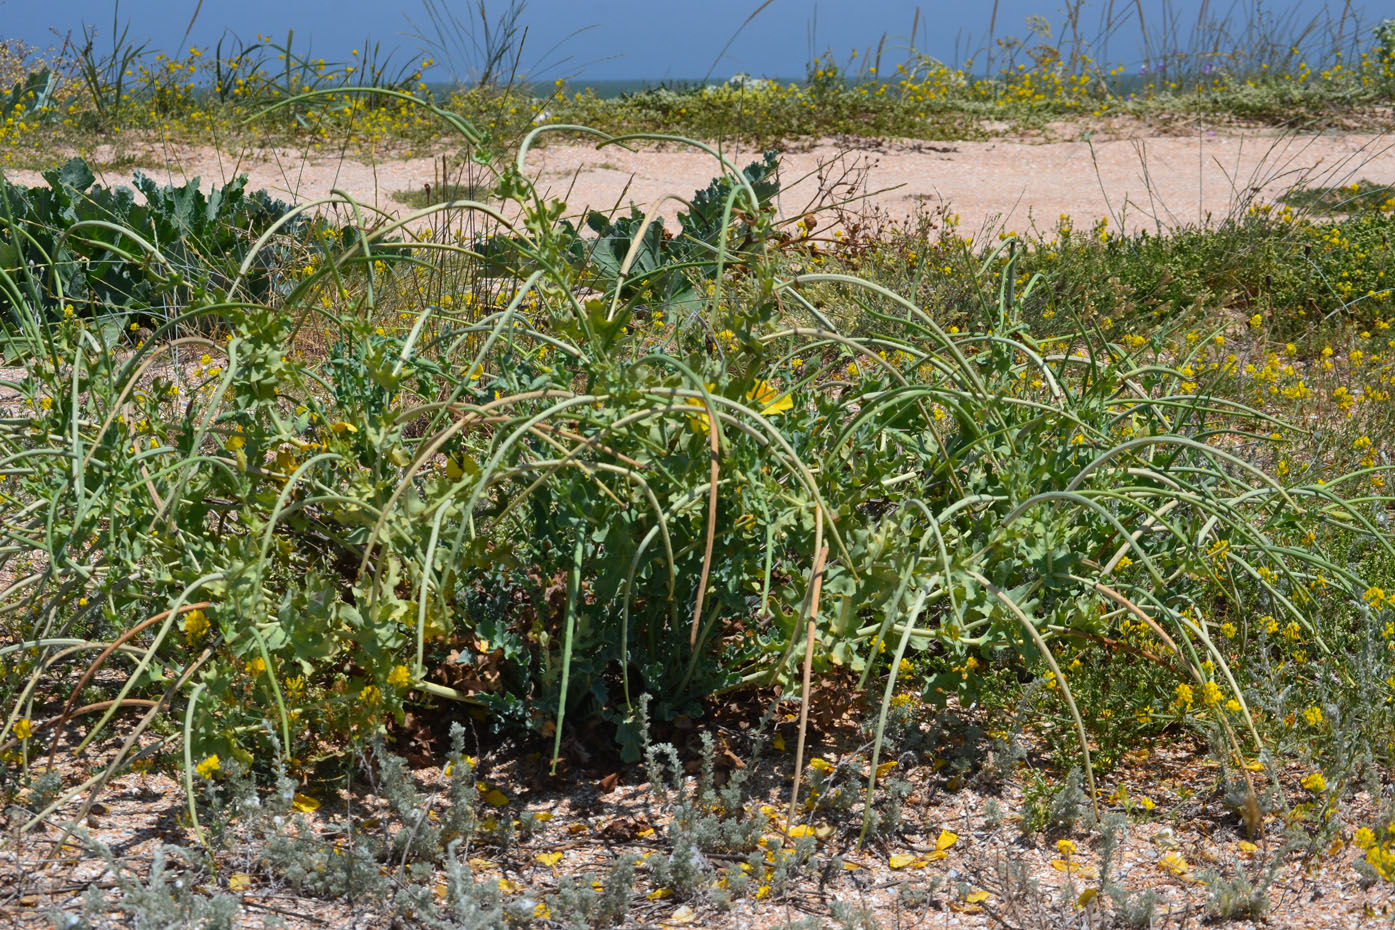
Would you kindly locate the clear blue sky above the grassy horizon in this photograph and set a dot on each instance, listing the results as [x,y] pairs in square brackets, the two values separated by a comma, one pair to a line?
[627,38]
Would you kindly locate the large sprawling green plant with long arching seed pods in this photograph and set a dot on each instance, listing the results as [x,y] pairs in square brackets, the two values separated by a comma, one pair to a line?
[609,471]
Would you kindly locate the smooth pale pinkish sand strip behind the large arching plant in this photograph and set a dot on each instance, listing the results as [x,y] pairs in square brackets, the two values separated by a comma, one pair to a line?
[1138,178]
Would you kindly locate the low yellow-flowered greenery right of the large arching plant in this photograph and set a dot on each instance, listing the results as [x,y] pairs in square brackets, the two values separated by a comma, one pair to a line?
[1220,307]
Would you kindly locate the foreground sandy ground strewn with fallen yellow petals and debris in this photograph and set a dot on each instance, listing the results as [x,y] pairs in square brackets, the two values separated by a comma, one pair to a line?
[1167,853]
